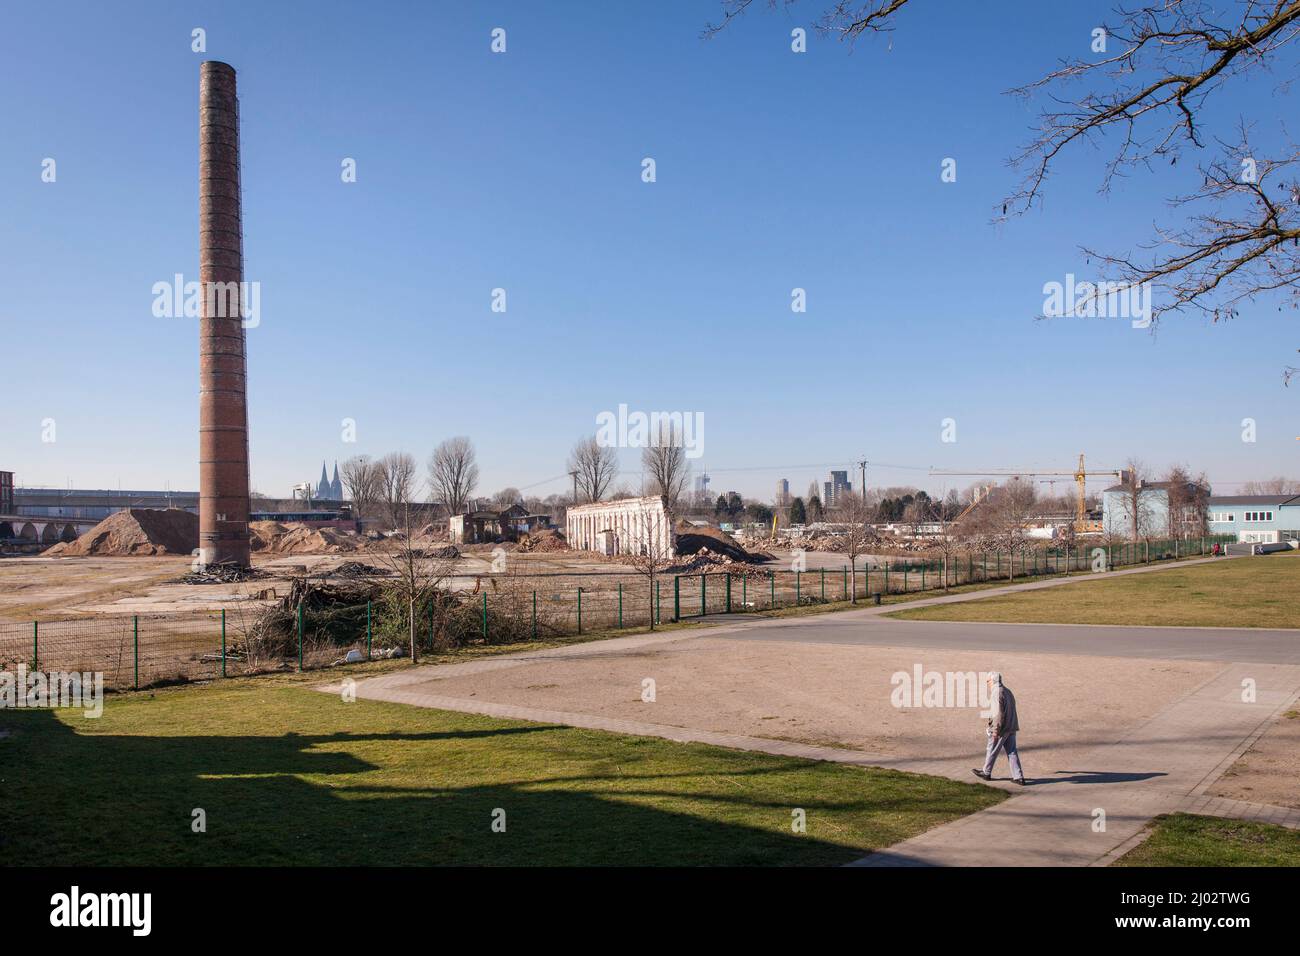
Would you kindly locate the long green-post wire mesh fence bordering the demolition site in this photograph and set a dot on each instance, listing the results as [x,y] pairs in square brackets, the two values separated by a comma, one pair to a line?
[249,638]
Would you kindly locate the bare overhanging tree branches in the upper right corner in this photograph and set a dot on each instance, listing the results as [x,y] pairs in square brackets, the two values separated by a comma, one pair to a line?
[1152,85]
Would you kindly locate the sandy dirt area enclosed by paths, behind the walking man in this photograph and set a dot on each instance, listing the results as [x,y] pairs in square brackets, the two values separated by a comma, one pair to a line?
[840,695]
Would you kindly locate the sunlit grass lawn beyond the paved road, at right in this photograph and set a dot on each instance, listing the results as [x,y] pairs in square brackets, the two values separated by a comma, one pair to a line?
[1242,592]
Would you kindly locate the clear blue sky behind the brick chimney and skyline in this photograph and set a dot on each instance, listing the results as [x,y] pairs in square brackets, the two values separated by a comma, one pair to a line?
[523,171]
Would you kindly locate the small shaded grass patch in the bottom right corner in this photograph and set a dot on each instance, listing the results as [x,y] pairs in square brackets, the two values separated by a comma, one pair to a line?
[1184,840]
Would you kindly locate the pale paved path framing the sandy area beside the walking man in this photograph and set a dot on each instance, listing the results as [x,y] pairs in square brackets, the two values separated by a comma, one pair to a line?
[1164,765]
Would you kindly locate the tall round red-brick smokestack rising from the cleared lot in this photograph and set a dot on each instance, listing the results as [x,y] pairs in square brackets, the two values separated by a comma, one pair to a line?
[223,397]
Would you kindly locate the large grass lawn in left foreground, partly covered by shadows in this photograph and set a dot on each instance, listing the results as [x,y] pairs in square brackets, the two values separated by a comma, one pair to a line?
[292,776]
